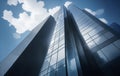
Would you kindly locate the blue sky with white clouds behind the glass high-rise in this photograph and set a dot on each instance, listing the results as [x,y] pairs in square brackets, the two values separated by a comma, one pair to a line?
[19,17]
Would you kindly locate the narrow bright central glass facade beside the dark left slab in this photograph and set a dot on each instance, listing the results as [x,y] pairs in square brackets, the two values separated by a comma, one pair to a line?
[54,63]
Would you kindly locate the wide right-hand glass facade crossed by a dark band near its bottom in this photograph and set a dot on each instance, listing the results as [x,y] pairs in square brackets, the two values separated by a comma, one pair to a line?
[102,42]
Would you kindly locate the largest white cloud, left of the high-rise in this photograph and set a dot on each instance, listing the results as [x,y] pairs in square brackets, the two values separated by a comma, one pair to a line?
[26,22]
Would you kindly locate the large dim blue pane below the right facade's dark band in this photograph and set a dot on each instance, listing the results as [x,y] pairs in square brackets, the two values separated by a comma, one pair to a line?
[111,51]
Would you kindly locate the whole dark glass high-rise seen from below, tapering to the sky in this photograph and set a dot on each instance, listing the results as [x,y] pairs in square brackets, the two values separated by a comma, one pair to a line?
[71,43]
